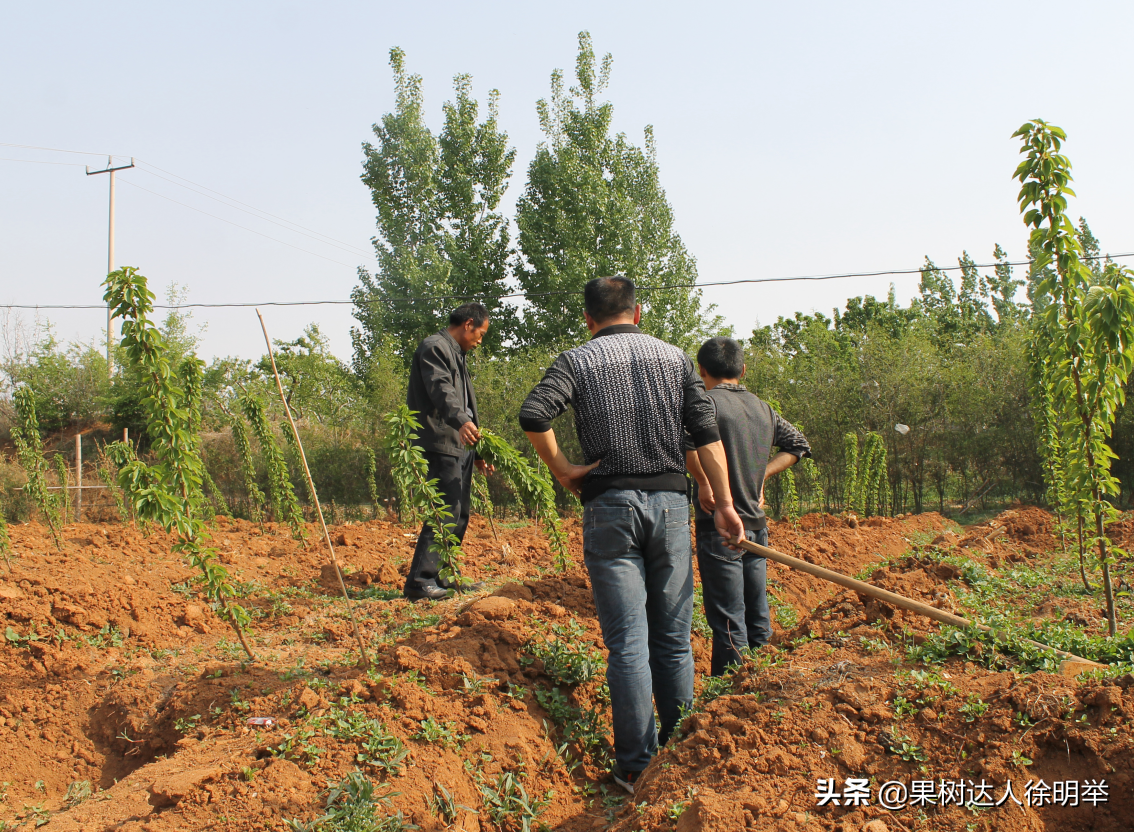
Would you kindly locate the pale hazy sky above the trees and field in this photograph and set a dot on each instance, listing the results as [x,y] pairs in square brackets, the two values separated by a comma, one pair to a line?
[793,140]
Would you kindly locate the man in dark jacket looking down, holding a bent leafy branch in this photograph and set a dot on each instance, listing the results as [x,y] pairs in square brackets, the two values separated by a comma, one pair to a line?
[442,393]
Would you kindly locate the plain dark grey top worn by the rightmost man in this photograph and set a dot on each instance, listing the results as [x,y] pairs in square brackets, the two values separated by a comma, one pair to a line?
[750,429]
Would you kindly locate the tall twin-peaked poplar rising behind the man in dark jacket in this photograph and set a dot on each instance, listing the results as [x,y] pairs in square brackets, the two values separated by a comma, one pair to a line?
[441,241]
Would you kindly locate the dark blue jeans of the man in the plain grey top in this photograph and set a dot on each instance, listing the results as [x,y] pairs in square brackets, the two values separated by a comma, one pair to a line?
[734,584]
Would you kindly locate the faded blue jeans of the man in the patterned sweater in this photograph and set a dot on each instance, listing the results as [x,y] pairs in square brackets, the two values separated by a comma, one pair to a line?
[638,553]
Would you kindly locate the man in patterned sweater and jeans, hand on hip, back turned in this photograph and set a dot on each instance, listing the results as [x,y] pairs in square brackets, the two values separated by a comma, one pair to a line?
[634,397]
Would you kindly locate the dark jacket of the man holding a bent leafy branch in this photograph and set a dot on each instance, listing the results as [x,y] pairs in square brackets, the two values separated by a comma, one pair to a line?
[442,393]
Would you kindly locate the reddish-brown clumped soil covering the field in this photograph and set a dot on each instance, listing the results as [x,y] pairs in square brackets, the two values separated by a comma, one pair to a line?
[124,700]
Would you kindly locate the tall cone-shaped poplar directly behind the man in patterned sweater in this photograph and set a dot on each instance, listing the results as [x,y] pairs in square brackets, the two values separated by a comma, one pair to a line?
[595,207]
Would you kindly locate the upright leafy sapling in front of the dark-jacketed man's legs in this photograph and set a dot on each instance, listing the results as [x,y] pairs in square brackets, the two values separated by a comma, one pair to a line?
[411,472]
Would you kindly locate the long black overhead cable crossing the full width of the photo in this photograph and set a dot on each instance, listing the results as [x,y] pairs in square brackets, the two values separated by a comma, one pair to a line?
[564,292]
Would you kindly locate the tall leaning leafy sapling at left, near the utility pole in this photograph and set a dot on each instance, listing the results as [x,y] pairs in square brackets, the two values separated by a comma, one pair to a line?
[170,490]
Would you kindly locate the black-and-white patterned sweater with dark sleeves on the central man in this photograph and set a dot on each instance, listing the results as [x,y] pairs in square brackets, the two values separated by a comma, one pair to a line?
[632,395]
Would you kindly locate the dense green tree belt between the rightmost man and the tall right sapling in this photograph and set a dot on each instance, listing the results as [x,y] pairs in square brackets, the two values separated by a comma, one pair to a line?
[957,378]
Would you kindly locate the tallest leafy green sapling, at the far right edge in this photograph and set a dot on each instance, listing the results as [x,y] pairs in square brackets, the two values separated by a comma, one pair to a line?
[1085,344]
